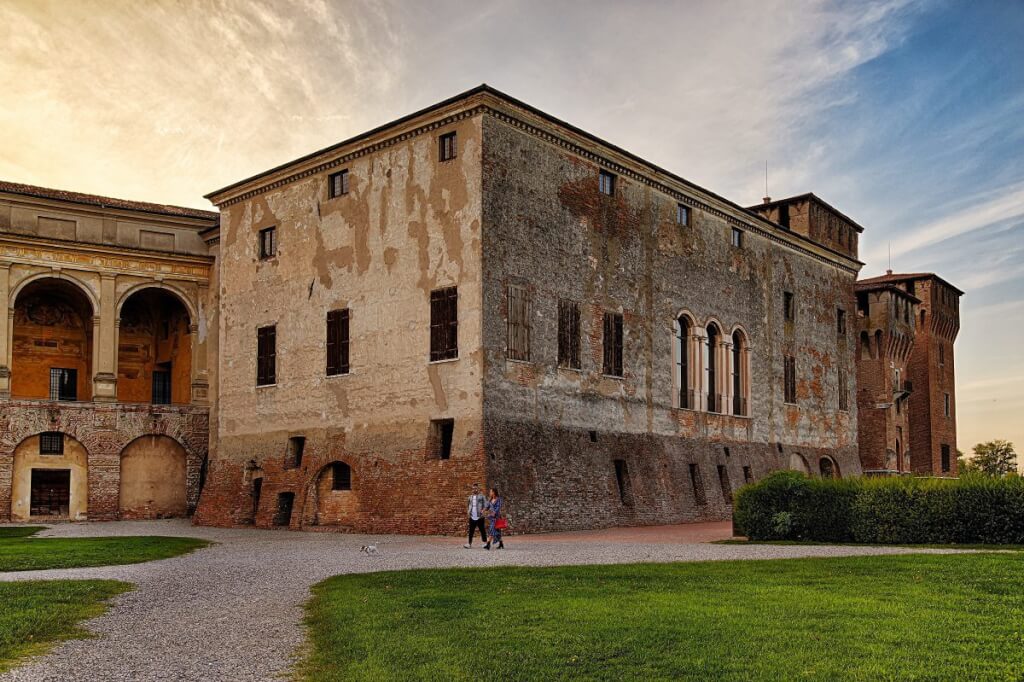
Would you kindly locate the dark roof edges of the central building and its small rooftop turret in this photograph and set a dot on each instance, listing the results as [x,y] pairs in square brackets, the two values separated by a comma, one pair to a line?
[487,90]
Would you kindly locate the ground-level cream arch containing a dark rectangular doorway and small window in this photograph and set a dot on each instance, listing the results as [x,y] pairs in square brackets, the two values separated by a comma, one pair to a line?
[50,479]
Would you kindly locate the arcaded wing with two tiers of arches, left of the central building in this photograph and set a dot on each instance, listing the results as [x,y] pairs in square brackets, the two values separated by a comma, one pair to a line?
[104,380]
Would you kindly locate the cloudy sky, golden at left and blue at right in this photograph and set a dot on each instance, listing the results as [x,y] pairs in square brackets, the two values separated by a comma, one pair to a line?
[908,116]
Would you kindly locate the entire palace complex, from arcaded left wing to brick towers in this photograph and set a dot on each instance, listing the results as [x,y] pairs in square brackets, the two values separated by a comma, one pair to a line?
[476,292]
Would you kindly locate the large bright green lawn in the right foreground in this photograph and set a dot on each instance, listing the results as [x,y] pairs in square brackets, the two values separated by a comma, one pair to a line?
[911,617]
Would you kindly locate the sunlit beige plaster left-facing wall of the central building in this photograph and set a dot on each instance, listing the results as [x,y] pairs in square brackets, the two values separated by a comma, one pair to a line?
[410,225]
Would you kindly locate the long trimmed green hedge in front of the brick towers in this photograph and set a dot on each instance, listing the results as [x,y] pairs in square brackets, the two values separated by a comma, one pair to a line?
[789,505]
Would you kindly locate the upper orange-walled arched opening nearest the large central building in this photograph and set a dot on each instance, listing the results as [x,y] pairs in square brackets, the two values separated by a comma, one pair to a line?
[155,350]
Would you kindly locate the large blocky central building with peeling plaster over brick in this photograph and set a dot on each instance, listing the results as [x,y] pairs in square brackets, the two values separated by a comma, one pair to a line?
[481,292]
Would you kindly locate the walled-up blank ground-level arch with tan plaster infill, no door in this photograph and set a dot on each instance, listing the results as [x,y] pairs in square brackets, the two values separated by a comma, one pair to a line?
[154,479]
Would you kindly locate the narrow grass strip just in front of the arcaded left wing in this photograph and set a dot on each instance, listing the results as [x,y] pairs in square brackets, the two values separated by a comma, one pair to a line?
[21,552]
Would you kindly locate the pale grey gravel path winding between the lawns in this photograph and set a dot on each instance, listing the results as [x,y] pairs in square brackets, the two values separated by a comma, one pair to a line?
[234,612]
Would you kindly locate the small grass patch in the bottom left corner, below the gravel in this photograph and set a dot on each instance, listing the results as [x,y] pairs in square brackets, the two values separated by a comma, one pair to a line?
[38,614]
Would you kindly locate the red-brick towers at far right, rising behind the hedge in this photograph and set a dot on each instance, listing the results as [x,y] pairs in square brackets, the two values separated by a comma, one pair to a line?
[920,422]
